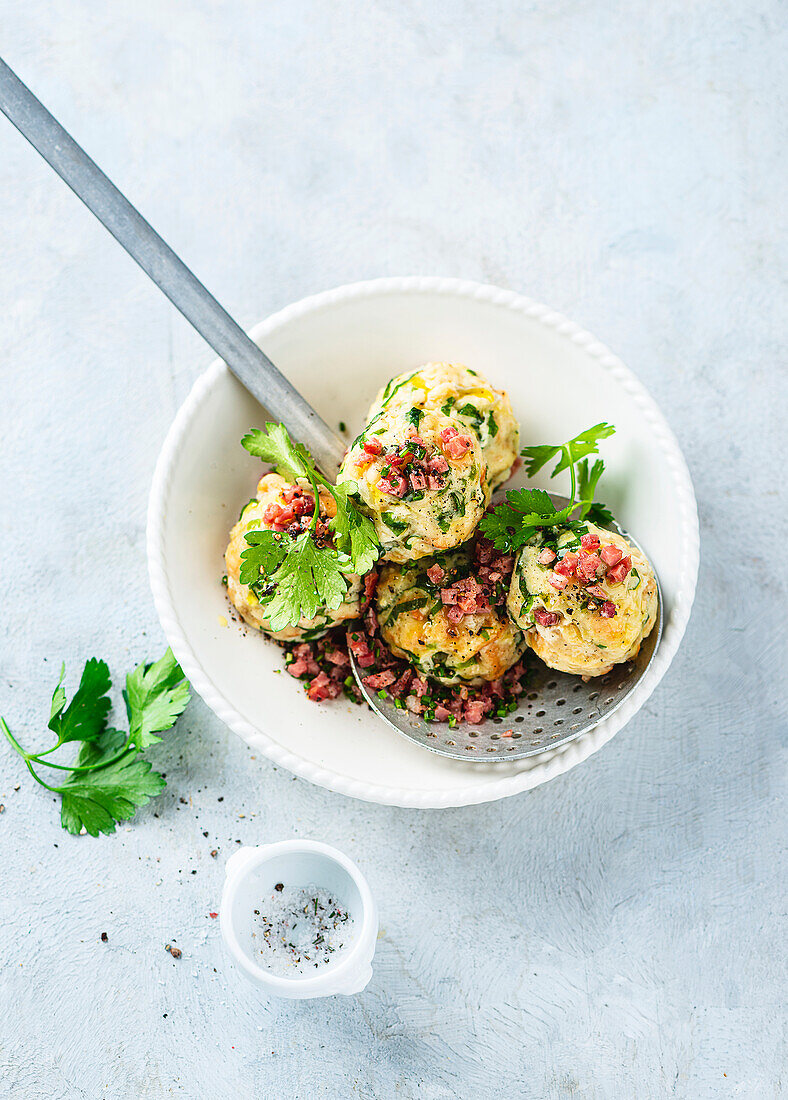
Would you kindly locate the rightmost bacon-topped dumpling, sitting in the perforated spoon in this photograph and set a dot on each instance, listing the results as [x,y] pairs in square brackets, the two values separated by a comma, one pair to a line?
[585,602]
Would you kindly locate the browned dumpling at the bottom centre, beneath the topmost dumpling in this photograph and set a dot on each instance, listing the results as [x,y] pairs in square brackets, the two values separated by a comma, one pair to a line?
[447,617]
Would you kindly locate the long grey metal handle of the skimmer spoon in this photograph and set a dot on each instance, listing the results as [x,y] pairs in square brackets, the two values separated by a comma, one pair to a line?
[250,366]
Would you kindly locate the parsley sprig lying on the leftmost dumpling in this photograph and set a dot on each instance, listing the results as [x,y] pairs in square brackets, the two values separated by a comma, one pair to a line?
[294,578]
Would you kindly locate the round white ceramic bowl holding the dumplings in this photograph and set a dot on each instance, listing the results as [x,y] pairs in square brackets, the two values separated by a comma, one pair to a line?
[338,348]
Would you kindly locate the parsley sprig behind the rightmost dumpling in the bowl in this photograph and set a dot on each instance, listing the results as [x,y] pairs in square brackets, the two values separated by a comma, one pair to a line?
[529,511]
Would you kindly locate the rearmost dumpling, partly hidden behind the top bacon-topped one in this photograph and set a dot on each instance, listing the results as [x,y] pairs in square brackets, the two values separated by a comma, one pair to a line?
[466,397]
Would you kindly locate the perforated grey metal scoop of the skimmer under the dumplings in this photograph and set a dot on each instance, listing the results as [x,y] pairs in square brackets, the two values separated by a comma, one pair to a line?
[556,708]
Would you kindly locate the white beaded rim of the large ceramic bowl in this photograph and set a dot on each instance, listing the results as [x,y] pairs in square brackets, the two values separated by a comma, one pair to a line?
[555,763]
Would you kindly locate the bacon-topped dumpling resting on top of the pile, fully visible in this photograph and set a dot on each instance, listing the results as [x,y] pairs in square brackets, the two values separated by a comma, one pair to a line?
[422,480]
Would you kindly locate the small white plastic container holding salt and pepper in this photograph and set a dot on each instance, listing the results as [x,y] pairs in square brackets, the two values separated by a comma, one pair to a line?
[251,875]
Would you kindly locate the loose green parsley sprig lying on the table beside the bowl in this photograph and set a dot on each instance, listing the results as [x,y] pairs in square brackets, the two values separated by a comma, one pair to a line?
[110,778]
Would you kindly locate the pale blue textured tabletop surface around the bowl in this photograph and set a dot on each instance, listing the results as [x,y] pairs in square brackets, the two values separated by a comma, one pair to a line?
[617,933]
